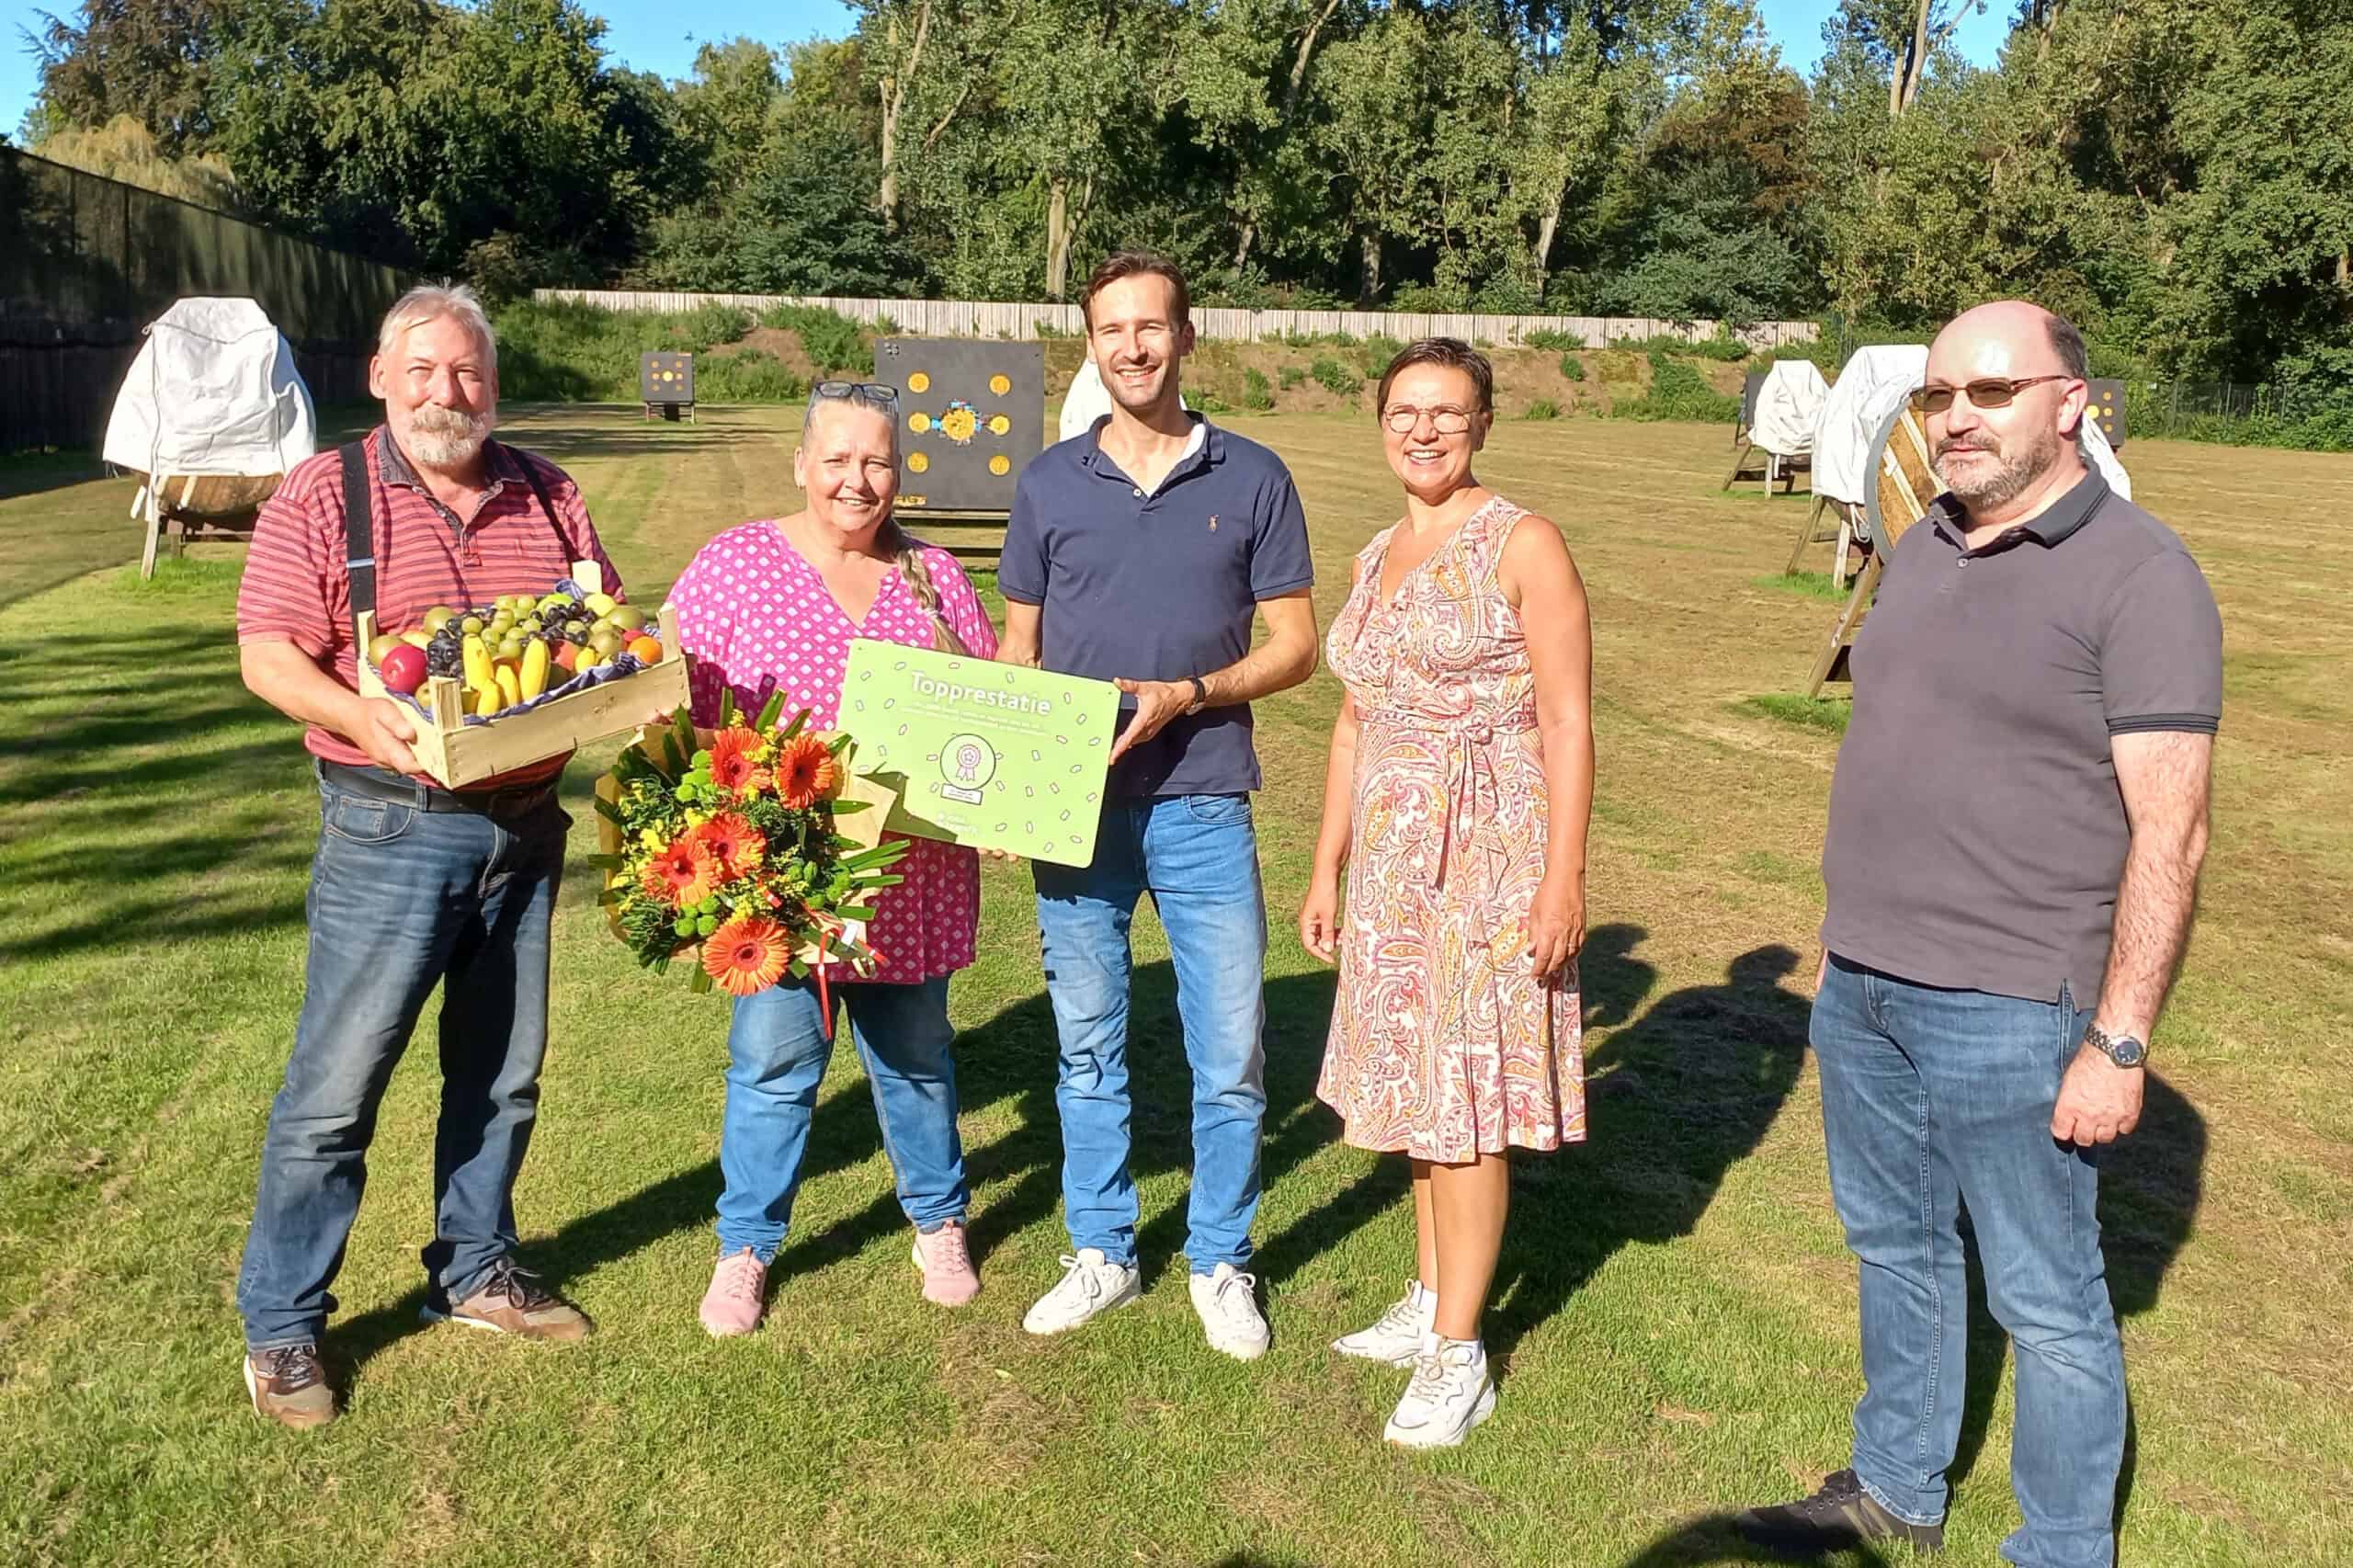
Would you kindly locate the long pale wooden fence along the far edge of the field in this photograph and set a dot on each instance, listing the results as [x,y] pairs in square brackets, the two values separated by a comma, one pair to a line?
[1022,321]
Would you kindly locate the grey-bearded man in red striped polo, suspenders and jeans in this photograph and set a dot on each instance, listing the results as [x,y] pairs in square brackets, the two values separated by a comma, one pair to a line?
[413,884]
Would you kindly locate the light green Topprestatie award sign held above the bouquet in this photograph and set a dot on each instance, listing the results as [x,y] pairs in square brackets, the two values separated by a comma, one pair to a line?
[992,757]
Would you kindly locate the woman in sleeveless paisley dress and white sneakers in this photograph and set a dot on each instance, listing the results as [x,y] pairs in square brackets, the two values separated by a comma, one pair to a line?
[1458,802]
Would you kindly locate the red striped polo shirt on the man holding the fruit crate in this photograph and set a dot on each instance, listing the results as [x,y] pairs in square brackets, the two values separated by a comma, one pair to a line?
[298,587]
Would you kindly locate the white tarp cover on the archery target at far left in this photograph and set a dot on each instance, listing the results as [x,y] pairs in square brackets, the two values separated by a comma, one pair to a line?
[213,392]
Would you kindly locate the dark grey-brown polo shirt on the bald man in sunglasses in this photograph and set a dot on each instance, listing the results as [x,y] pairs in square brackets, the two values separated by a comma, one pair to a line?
[1978,832]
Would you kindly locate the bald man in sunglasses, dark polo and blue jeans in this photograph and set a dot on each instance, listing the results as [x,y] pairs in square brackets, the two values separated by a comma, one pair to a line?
[2013,863]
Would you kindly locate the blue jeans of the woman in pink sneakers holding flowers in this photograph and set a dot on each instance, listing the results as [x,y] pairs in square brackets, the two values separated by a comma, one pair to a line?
[778,1056]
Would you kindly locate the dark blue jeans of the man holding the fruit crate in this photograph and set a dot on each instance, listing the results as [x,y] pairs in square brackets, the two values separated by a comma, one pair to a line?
[404,901]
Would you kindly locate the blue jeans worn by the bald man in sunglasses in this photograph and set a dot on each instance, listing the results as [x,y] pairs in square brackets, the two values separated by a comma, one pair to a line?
[1935,1101]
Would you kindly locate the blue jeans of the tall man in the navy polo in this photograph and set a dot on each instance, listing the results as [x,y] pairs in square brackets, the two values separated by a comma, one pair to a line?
[1201,863]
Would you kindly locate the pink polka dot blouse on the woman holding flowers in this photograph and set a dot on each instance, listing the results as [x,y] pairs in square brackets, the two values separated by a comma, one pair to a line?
[756,620]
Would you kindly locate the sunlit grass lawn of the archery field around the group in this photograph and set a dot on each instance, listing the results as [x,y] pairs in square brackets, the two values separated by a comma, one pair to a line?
[1677,1310]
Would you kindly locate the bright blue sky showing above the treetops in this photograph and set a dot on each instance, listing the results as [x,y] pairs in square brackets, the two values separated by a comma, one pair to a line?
[662,34]
